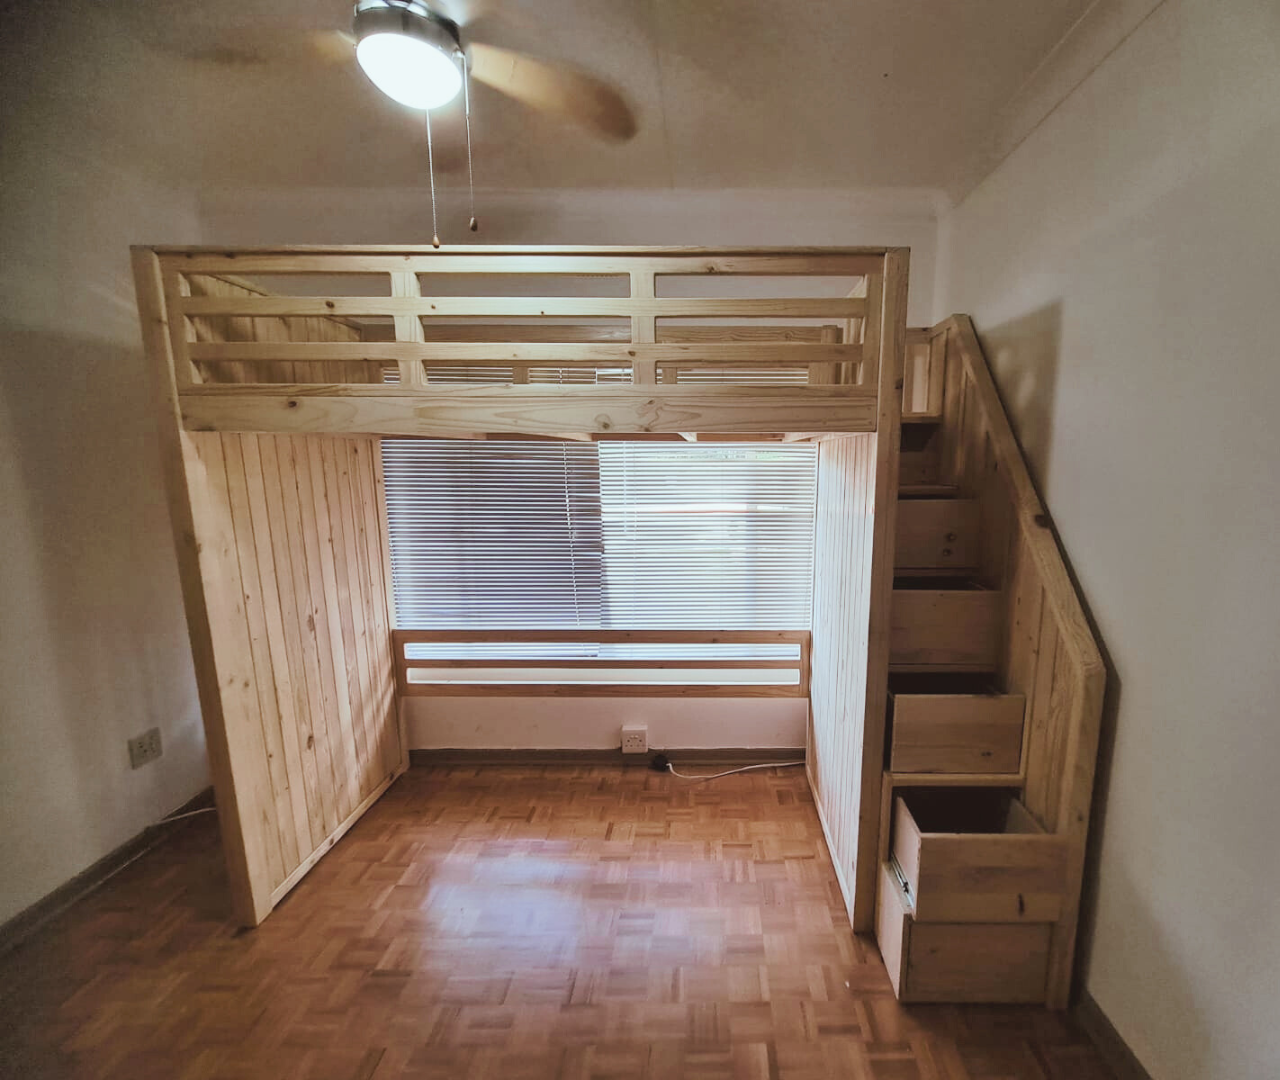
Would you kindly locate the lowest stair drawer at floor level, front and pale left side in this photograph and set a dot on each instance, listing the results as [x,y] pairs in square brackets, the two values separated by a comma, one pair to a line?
[958,962]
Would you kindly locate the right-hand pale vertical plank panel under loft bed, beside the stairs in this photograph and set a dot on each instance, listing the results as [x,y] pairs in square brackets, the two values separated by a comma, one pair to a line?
[842,621]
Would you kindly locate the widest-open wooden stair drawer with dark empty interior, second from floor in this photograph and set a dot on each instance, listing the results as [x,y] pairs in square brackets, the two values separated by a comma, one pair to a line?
[973,855]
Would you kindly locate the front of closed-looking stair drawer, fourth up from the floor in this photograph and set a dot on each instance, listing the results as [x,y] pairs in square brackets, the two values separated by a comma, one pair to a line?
[945,629]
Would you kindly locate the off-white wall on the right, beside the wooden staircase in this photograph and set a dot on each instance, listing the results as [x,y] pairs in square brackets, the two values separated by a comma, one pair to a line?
[1122,268]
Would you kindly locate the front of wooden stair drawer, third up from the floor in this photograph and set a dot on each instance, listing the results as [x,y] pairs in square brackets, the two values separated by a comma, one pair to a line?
[958,733]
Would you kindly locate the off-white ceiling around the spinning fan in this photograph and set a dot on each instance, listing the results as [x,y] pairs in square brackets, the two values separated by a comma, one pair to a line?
[756,94]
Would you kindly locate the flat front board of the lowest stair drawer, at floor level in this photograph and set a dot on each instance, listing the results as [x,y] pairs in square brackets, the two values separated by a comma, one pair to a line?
[976,963]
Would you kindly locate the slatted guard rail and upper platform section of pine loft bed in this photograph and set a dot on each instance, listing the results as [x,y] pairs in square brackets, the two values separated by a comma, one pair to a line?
[580,344]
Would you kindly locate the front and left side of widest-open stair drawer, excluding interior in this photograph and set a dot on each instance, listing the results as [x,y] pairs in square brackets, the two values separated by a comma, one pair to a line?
[980,877]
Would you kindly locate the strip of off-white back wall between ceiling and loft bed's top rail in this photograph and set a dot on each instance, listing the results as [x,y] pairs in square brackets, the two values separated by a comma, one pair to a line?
[732,218]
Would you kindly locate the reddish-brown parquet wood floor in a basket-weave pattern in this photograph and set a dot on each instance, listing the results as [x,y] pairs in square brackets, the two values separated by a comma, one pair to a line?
[513,923]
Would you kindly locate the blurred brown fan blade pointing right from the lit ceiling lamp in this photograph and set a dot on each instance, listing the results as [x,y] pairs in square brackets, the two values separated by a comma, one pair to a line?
[565,91]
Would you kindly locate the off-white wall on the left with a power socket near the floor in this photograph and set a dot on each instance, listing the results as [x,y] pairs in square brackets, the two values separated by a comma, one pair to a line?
[93,639]
